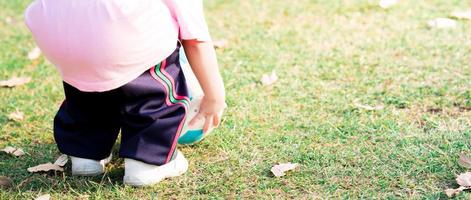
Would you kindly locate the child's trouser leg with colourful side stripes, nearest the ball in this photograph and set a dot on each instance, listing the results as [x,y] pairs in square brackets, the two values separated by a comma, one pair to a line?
[154,113]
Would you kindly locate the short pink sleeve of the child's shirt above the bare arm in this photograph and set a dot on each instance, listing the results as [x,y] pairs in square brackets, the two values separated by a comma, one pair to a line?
[190,17]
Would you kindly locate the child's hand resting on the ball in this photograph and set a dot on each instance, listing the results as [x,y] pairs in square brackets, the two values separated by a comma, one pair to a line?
[211,111]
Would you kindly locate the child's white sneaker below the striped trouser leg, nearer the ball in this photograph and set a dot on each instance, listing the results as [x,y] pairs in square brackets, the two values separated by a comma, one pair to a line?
[138,173]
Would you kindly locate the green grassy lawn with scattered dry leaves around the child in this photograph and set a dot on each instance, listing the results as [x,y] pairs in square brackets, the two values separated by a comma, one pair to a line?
[328,55]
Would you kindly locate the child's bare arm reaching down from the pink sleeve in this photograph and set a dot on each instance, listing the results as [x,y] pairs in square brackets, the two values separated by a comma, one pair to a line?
[202,59]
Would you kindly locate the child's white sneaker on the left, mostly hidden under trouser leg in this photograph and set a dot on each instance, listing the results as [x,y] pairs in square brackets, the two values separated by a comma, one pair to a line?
[88,167]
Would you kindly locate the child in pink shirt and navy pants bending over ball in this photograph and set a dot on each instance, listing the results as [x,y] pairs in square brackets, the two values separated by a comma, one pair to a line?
[120,66]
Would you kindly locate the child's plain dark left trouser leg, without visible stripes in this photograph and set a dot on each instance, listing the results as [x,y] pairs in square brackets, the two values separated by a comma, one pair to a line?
[87,123]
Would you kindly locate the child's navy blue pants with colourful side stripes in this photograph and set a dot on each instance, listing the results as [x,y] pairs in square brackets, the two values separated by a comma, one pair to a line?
[149,111]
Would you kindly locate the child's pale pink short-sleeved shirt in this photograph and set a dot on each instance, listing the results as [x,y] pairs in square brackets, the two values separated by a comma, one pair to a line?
[100,45]
